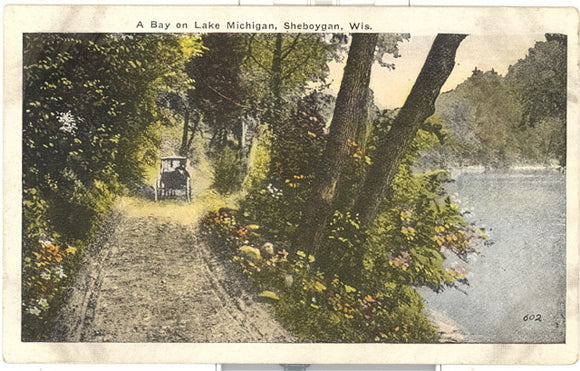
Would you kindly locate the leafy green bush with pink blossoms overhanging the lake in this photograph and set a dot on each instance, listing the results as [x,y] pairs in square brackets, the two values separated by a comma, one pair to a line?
[417,227]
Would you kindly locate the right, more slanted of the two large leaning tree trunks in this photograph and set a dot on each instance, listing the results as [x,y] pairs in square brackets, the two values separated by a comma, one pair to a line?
[420,104]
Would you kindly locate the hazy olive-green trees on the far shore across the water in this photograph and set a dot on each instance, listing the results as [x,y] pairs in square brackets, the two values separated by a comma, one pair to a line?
[517,119]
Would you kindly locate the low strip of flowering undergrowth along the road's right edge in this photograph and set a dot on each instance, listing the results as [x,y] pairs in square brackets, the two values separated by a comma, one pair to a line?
[316,307]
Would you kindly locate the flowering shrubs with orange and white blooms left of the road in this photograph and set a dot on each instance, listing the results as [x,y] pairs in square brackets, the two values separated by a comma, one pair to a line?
[57,219]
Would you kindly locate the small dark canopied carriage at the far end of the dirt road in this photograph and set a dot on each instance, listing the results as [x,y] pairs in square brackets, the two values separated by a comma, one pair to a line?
[173,180]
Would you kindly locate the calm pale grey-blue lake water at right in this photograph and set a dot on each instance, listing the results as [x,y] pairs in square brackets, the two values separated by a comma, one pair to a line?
[522,273]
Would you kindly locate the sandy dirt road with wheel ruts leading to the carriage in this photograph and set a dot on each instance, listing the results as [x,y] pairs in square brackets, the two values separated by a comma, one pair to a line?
[149,277]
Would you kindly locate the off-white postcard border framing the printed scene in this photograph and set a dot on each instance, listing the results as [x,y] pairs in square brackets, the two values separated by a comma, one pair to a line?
[21,19]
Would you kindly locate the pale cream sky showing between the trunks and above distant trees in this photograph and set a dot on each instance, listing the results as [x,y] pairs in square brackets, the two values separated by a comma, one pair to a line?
[485,52]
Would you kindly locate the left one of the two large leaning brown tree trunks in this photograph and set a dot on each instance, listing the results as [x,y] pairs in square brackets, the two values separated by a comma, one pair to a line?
[350,111]
